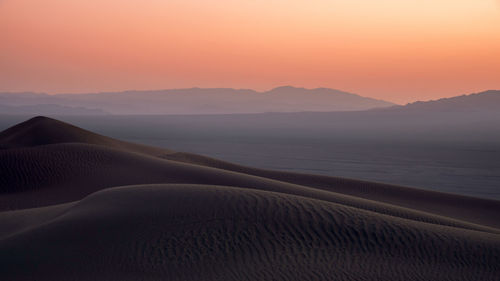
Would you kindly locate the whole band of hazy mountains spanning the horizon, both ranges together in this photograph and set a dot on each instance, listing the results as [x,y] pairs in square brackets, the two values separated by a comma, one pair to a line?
[285,99]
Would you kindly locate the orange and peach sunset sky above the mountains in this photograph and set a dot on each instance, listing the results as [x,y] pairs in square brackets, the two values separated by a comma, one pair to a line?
[397,50]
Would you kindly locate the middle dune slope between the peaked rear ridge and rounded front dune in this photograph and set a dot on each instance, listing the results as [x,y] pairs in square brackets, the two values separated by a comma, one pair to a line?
[68,172]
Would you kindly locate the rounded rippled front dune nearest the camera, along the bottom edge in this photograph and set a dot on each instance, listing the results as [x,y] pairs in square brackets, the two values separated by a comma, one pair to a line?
[187,232]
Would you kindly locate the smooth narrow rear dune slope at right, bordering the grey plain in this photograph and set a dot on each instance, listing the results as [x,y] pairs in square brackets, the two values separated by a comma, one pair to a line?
[453,205]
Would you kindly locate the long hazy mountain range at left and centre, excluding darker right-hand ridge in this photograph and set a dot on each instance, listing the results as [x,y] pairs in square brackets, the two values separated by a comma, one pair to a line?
[192,101]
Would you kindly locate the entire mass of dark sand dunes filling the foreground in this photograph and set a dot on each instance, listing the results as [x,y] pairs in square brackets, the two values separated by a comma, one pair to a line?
[80,206]
